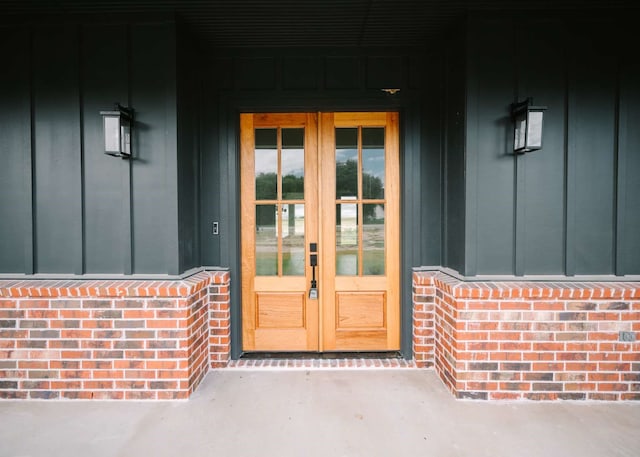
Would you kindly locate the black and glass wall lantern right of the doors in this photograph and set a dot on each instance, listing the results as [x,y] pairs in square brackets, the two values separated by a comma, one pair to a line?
[527,134]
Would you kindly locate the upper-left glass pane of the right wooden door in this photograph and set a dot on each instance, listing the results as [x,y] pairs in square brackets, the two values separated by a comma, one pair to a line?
[346,162]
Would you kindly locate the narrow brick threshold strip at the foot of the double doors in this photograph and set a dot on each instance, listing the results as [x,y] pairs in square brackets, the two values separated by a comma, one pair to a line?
[321,361]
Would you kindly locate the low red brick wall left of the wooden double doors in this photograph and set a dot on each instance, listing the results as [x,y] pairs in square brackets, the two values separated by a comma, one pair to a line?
[111,339]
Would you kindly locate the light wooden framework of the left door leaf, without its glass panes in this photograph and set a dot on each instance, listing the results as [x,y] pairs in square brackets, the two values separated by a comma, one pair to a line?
[276,313]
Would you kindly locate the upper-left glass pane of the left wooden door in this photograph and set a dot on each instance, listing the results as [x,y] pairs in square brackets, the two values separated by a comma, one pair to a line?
[266,163]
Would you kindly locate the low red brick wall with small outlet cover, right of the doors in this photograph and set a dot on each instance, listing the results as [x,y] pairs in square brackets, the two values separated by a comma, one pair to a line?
[524,340]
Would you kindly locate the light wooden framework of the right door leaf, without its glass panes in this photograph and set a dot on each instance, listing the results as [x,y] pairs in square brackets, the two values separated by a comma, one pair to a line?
[360,312]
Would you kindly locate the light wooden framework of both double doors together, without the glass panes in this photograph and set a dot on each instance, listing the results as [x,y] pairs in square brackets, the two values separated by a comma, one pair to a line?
[289,321]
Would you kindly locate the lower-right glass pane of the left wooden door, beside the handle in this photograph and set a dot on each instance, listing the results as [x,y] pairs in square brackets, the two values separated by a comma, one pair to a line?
[293,240]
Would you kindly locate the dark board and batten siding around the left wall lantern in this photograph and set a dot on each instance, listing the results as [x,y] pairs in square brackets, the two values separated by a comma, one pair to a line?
[67,208]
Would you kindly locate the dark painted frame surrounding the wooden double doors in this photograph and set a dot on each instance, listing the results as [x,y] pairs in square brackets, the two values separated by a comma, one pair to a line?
[228,119]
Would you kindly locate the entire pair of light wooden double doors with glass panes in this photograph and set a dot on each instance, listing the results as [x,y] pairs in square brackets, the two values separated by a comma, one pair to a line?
[320,232]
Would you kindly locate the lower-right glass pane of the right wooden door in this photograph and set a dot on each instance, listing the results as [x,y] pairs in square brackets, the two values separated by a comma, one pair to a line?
[373,240]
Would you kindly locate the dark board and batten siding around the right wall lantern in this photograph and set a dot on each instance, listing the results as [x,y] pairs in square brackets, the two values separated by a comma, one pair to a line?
[570,208]
